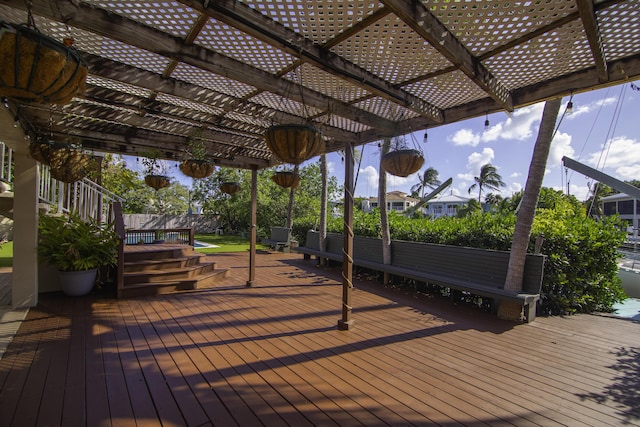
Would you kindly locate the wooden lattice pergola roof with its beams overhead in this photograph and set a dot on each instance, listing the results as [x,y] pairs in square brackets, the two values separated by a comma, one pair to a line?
[361,70]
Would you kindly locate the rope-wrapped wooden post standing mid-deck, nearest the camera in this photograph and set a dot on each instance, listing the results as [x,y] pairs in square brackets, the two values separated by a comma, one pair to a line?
[346,322]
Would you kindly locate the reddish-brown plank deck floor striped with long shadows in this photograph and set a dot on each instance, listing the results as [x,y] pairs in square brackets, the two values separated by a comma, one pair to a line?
[271,355]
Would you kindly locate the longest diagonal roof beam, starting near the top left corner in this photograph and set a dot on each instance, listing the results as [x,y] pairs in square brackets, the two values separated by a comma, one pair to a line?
[98,21]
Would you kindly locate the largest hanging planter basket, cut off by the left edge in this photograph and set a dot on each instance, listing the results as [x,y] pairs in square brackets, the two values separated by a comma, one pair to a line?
[37,68]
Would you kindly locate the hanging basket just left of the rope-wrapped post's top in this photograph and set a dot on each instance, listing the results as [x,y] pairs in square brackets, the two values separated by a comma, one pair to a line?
[293,143]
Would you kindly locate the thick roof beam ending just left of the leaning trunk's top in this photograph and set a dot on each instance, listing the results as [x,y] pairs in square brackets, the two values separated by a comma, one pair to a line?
[418,17]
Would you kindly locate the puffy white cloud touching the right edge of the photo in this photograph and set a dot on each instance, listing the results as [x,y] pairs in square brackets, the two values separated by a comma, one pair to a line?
[622,156]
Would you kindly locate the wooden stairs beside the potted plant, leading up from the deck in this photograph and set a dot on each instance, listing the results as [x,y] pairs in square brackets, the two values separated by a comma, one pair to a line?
[161,269]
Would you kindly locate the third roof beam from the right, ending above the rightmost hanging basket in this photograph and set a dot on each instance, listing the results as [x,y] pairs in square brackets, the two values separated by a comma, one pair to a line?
[252,22]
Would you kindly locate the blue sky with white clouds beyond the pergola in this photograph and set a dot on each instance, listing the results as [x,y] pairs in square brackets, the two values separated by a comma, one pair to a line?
[603,132]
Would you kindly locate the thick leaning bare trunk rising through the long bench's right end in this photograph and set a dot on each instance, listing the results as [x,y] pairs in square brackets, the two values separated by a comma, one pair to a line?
[524,222]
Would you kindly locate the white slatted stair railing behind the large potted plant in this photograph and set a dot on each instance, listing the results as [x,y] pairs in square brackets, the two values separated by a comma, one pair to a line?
[85,197]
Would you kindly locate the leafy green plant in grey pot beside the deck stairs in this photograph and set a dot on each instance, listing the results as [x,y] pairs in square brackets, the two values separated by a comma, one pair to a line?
[77,248]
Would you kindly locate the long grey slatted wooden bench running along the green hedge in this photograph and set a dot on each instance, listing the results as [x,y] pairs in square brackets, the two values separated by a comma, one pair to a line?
[477,271]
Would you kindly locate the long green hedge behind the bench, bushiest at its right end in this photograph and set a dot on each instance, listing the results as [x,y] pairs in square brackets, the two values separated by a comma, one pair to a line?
[581,269]
